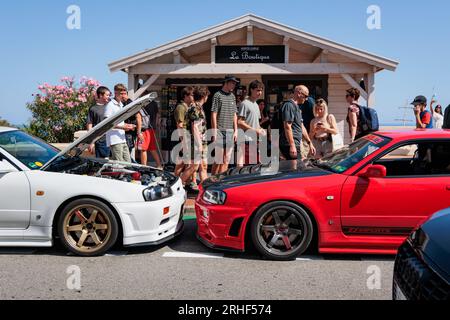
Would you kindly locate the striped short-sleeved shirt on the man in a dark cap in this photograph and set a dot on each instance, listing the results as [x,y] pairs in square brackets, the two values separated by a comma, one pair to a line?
[224,104]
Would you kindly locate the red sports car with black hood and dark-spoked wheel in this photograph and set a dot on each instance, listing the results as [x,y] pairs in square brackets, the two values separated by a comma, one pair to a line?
[363,199]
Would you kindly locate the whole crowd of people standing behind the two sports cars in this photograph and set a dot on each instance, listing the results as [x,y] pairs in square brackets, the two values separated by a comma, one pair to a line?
[305,127]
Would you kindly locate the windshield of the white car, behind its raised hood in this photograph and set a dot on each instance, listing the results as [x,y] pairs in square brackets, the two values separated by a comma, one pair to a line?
[31,151]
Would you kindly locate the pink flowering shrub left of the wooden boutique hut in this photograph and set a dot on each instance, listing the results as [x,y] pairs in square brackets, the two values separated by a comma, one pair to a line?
[60,111]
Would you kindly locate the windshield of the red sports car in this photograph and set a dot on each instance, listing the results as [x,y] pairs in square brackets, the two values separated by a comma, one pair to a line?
[347,157]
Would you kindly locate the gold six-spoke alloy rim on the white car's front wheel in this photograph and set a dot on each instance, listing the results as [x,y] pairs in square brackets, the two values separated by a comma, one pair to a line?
[87,229]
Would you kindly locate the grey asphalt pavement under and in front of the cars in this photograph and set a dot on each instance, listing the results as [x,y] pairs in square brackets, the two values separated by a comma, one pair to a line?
[184,269]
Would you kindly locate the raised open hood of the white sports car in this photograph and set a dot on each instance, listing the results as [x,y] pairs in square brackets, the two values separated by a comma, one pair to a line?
[78,147]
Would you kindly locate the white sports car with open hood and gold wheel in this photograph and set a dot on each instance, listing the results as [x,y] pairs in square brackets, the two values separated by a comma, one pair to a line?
[87,203]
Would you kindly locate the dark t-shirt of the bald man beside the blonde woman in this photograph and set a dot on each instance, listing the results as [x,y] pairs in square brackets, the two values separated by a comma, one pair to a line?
[290,112]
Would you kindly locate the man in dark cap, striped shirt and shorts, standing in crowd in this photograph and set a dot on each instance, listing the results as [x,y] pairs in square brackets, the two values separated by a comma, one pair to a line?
[224,123]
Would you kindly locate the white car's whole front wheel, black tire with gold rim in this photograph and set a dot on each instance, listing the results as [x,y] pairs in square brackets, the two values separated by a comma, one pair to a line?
[84,233]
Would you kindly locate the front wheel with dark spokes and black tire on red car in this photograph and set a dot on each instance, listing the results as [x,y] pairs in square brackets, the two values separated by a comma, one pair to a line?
[281,231]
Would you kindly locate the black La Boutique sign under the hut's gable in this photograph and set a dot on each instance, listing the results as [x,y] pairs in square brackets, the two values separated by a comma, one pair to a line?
[250,54]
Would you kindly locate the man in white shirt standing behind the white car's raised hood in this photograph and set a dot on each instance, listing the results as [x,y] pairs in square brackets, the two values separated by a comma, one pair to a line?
[115,138]
